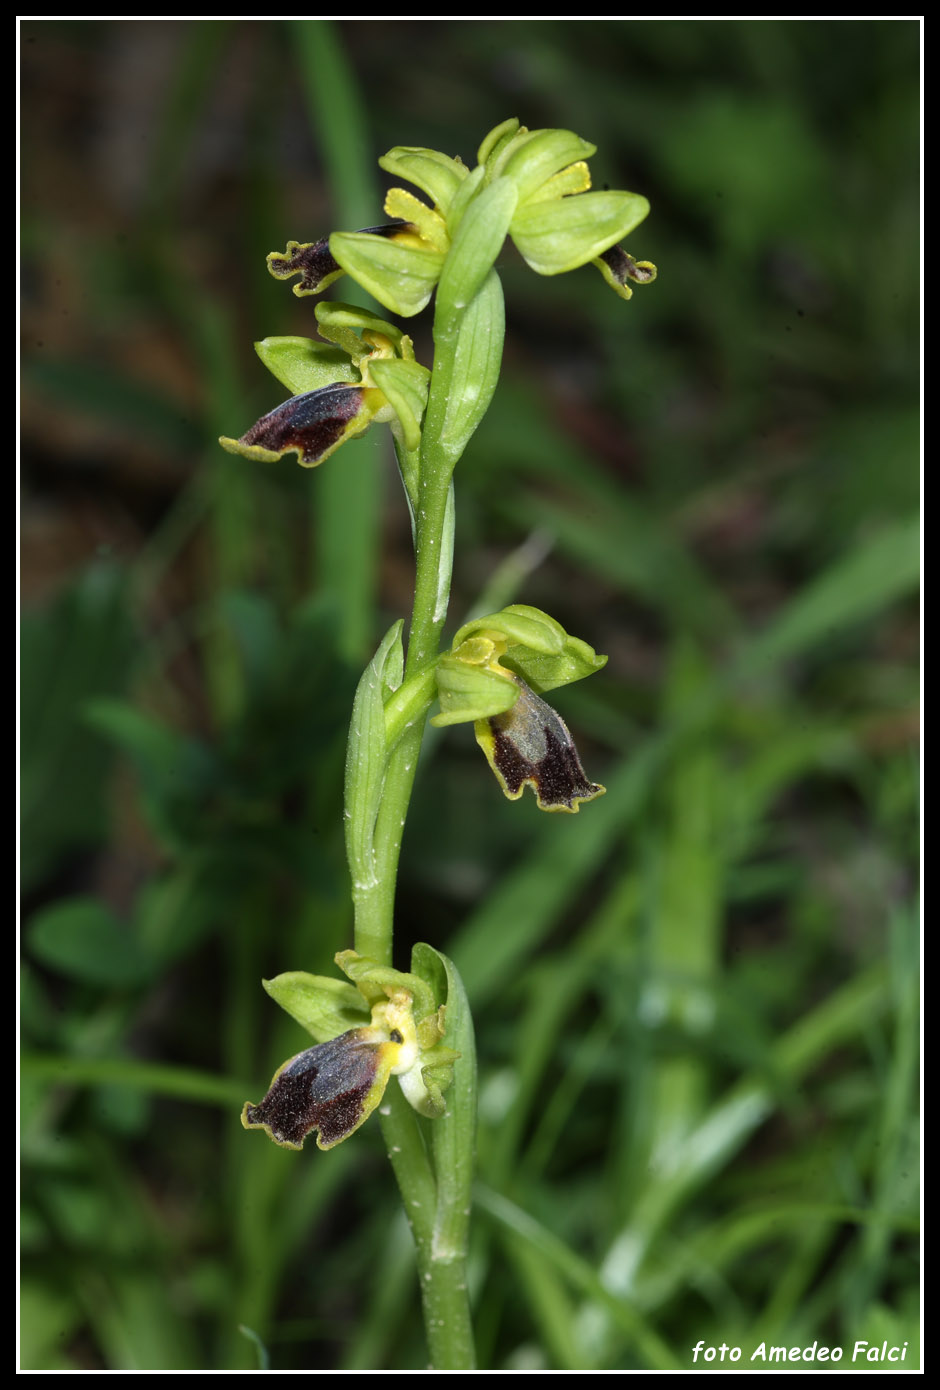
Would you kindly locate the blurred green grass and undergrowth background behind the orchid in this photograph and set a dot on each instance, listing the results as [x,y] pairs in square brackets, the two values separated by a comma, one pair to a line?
[697,1003]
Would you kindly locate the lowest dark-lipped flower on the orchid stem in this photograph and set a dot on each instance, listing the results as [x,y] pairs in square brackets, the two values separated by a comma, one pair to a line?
[332,1089]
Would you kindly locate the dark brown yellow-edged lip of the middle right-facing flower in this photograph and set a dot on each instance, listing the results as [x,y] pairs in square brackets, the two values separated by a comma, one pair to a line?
[529,746]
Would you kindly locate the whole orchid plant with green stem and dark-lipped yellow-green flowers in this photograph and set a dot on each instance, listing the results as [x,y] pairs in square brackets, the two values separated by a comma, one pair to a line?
[380,1022]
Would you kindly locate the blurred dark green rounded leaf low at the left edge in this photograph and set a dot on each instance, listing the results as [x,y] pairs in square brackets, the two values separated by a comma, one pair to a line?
[83,940]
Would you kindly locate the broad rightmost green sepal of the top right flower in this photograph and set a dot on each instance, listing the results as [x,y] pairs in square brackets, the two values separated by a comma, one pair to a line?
[569,233]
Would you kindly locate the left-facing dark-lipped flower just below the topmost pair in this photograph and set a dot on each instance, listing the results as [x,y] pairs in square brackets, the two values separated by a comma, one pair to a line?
[340,391]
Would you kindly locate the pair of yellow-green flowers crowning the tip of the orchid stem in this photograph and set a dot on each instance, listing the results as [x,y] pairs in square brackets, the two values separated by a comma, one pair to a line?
[533,184]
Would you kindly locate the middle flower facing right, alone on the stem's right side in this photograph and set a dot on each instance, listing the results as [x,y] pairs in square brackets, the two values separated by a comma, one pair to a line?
[486,679]
